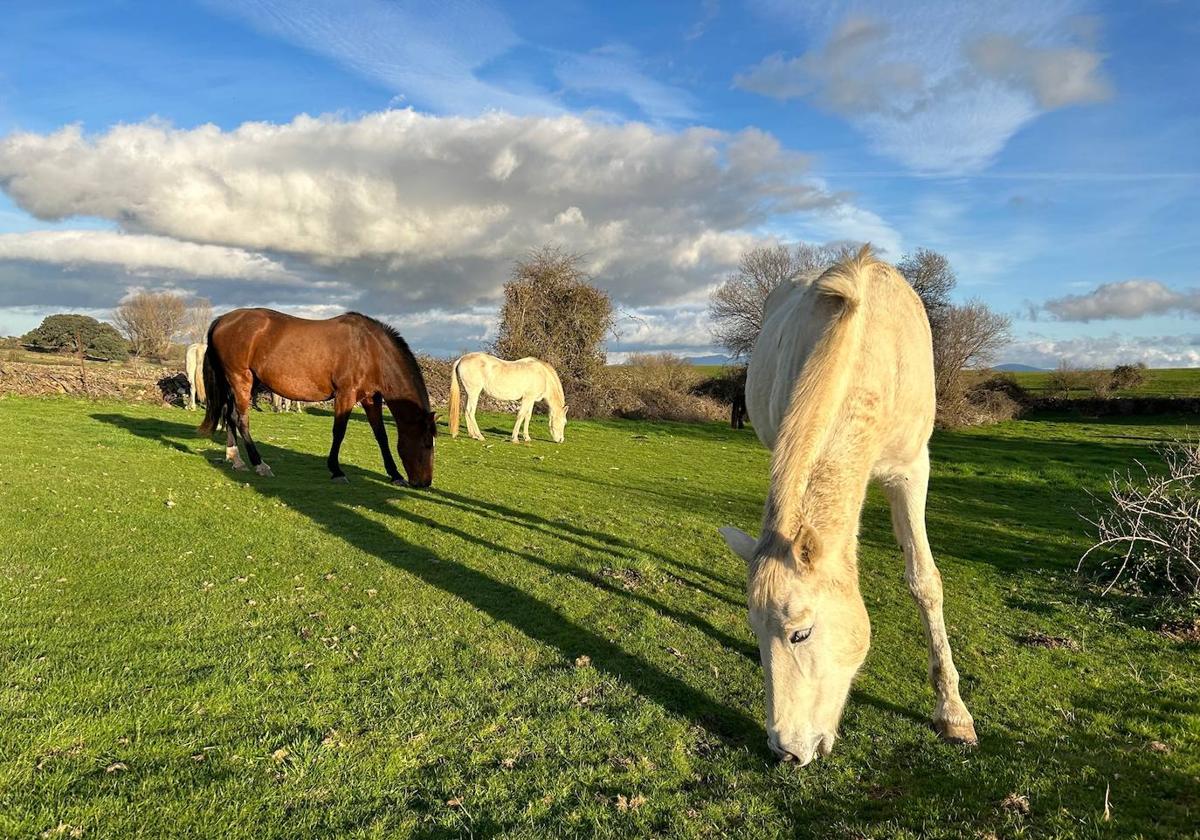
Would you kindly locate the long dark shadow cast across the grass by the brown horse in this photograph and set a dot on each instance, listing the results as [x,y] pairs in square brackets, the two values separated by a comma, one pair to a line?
[503,602]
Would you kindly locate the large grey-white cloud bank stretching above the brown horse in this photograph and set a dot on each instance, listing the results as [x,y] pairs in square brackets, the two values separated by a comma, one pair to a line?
[418,212]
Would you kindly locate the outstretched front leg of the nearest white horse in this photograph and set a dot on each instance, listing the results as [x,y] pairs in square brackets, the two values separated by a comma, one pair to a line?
[907,495]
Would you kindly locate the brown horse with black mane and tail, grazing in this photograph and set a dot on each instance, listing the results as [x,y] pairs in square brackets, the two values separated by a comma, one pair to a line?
[350,359]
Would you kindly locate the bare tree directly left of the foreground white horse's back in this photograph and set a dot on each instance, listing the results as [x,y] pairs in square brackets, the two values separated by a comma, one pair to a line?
[736,305]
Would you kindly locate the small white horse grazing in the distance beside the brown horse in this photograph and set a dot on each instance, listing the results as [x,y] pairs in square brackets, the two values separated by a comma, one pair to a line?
[525,380]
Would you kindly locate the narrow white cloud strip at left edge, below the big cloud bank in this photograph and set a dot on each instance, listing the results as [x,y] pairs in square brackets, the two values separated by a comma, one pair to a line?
[141,255]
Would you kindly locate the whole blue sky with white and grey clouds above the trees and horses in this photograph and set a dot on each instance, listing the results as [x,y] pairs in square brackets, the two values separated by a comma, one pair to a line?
[395,158]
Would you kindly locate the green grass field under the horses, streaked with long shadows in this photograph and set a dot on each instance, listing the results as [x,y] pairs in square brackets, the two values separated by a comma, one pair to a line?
[190,652]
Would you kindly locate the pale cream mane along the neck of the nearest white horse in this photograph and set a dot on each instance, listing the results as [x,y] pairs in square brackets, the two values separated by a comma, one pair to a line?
[818,398]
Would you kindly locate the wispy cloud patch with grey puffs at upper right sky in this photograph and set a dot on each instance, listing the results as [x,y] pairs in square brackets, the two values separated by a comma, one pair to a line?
[940,93]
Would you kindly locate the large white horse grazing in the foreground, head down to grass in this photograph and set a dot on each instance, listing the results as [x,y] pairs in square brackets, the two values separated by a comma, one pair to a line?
[842,388]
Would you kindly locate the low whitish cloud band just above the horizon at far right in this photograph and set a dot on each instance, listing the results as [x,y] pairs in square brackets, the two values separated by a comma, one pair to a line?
[1101,352]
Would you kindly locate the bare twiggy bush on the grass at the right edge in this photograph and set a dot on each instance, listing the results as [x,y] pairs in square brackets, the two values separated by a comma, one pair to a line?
[1148,532]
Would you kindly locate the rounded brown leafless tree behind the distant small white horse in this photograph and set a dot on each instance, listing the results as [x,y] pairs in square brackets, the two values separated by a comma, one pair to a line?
[554,311]
